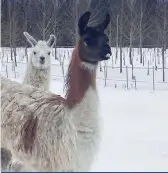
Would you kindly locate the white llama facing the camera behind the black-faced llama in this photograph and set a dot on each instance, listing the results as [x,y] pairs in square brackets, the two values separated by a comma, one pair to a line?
[39,65]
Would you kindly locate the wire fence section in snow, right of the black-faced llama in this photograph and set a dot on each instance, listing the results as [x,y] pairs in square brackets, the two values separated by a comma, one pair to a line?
[143,78]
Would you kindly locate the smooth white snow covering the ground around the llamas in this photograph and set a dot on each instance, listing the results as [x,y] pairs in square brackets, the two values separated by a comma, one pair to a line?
[135,130]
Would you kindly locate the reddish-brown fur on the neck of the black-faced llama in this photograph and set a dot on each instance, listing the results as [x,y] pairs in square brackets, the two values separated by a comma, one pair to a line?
[79,80]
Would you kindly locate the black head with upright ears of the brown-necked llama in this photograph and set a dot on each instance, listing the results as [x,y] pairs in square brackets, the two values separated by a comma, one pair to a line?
[93,43]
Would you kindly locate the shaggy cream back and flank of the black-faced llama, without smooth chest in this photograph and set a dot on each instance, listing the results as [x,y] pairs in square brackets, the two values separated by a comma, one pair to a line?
[29,119]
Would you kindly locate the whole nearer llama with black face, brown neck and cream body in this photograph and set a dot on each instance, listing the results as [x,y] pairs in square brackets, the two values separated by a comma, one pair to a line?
[46,132]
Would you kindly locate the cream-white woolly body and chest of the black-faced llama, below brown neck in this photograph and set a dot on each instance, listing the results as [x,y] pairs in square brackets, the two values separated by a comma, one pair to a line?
[74,132]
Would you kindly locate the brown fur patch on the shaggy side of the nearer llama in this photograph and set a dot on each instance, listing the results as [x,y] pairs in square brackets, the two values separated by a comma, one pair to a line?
[28,134]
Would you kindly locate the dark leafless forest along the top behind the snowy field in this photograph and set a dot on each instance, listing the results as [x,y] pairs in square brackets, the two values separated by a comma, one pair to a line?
[135,23]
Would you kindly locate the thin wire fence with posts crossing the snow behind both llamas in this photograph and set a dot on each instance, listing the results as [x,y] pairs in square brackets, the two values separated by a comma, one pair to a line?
[108,76]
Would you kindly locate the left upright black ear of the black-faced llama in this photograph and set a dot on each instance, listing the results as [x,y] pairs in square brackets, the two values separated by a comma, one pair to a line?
[83,21]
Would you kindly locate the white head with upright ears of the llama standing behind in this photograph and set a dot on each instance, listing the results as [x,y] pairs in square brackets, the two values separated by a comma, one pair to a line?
[41,50]
